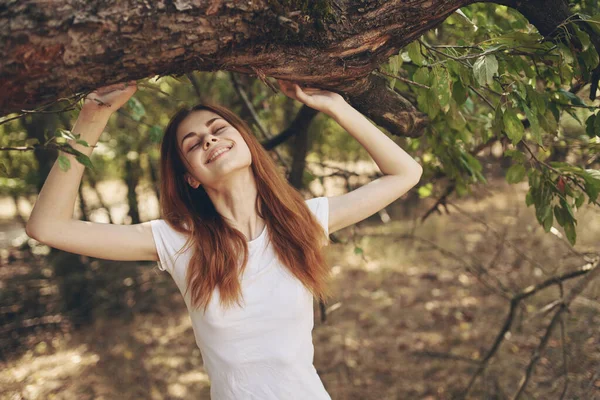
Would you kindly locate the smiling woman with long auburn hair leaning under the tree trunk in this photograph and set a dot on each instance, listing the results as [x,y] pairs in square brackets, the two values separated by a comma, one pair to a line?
[241,244]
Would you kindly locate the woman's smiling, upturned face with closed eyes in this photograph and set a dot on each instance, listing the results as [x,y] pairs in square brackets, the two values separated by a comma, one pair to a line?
[198,135]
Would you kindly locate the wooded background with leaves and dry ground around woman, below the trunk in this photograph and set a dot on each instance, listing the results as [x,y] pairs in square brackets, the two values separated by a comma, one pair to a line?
[481,282]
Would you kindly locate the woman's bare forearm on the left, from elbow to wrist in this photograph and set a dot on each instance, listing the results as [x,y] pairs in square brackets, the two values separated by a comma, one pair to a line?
[56,200]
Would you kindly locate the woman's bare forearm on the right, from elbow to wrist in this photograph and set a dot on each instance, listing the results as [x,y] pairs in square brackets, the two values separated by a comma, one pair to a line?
[389,157]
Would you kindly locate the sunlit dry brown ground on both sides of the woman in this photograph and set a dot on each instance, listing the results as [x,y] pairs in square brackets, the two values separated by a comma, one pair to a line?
[409,319]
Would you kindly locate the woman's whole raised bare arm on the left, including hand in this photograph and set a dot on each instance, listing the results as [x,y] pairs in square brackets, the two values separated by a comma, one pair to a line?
[51,221]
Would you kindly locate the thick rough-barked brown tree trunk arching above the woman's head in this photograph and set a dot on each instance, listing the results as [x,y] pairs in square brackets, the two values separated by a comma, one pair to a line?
[54,49]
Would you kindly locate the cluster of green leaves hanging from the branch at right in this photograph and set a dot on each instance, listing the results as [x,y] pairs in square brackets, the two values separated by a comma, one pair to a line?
[487,75]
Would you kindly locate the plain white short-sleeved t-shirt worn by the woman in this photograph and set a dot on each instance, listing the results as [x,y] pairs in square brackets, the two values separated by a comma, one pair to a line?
[263,350]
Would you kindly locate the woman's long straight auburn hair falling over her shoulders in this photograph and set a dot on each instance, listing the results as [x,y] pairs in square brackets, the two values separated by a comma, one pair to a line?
[296,235]
